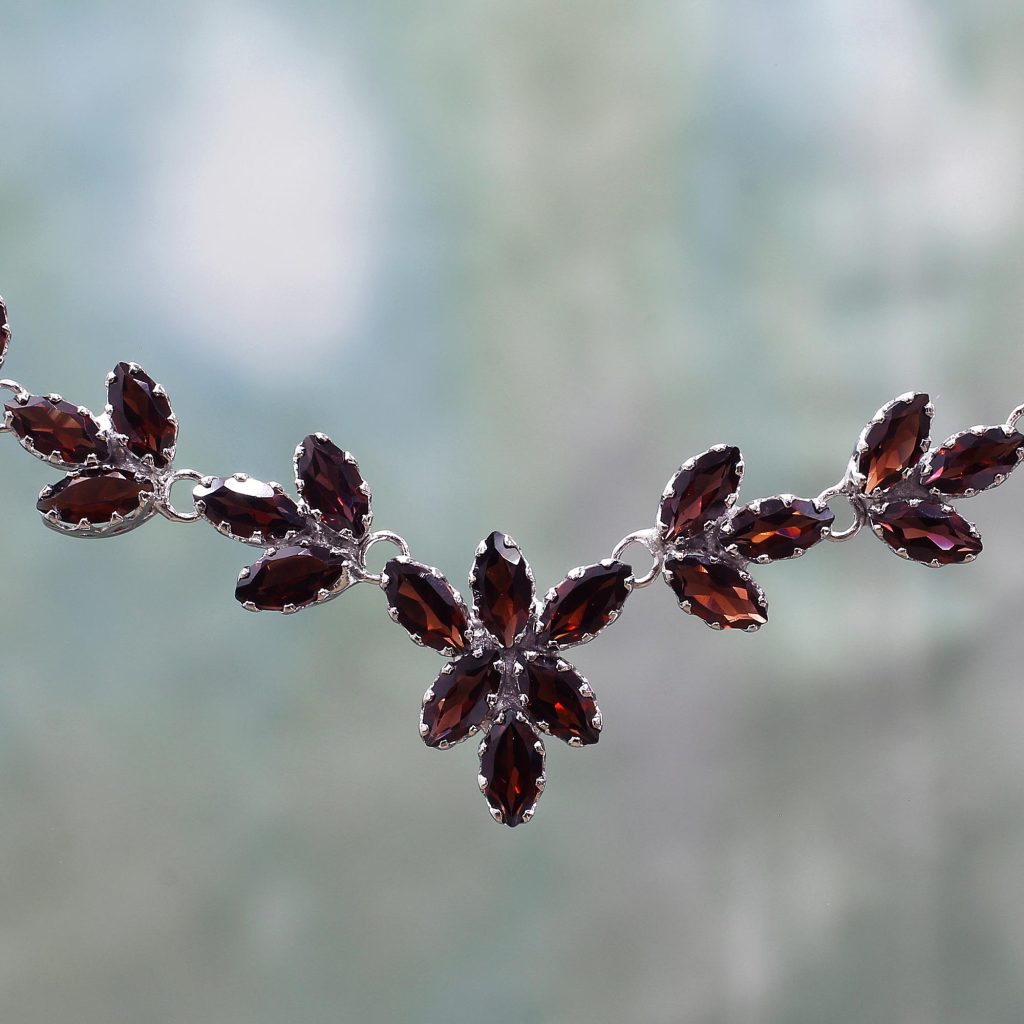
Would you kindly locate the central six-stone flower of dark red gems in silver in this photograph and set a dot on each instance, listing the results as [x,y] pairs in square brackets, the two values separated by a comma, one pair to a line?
[507,678]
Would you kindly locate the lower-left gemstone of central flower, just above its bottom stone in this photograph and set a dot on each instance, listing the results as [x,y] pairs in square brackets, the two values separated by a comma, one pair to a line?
[457,705]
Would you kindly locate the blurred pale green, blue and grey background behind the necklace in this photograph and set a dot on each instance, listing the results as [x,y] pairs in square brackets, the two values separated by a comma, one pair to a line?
[523,259]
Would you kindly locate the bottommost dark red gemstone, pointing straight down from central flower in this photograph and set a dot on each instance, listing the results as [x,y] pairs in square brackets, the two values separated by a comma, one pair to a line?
[513,770]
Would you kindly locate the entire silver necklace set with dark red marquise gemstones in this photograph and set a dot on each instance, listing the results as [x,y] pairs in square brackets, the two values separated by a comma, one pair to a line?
[506,678]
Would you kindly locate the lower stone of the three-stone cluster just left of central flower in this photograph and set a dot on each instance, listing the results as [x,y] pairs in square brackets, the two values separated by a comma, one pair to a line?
[292,577]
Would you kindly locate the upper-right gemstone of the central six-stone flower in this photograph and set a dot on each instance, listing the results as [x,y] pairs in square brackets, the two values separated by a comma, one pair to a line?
[586,602]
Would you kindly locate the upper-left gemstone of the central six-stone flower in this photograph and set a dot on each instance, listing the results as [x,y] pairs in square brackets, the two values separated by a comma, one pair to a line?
[423,603]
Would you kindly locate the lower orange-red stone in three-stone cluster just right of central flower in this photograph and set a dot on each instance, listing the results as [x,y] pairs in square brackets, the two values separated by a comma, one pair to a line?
[722,595]
